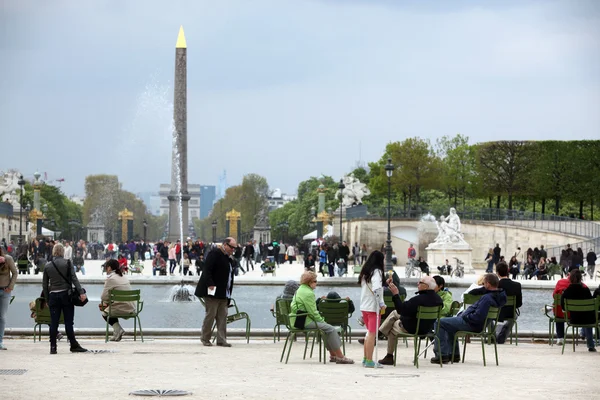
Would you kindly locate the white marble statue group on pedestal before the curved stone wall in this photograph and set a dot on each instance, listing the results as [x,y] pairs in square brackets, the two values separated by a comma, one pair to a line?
[449,243]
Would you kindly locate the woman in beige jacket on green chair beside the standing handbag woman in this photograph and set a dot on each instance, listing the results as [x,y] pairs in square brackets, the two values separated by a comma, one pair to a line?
[115,280]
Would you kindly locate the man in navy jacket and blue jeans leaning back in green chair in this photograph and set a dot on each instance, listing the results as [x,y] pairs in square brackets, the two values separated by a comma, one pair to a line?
[472,319]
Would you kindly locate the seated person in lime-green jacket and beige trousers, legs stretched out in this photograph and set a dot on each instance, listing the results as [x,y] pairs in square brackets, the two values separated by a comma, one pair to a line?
[305,302]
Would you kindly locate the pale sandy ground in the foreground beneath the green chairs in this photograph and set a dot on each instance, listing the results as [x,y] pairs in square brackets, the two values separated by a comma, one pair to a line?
[253,371]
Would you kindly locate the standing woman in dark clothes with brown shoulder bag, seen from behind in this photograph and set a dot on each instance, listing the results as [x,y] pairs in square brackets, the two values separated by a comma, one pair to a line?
[59,279]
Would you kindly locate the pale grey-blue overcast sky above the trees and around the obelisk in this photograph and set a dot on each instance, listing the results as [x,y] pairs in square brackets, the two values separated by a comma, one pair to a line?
[285,89]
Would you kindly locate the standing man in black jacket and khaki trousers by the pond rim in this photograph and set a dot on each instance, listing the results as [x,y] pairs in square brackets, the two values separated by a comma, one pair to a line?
[215,287]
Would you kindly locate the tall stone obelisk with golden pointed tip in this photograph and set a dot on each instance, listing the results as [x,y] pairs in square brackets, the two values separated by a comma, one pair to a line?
[179,196]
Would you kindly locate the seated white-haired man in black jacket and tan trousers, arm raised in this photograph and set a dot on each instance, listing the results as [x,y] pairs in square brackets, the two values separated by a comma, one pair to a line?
[404,317]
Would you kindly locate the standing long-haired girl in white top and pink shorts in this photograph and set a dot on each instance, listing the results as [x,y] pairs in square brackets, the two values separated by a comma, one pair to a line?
[371,302]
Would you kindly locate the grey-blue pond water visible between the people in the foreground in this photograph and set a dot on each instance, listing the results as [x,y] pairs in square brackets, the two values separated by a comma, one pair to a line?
[159,312]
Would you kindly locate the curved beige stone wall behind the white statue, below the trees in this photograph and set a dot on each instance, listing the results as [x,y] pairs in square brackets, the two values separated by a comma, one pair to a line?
[480,236]
